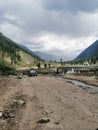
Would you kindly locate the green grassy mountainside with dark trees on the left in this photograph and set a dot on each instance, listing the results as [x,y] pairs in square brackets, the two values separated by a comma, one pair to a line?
[14,56]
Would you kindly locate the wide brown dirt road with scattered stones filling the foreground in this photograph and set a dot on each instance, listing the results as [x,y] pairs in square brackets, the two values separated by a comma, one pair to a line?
[65,106]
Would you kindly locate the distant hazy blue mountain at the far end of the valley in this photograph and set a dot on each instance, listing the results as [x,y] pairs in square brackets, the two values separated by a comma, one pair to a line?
[46,57]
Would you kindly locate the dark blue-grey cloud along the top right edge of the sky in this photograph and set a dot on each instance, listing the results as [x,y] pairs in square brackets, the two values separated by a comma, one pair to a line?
[71,5]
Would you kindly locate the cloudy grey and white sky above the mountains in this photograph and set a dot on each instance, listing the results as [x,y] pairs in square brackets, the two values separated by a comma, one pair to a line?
[59,27]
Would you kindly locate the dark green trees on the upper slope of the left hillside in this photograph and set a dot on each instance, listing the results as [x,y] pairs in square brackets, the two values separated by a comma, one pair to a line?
[9,49]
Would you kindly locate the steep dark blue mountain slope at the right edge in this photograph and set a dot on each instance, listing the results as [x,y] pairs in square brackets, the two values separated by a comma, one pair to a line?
[92,50]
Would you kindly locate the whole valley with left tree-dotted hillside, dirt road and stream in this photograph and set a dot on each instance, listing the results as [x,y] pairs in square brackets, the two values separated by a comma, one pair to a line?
[62,96]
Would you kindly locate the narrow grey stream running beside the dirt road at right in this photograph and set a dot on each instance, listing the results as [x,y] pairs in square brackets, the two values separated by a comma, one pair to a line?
[90,88]
